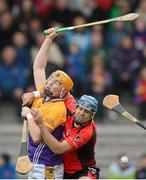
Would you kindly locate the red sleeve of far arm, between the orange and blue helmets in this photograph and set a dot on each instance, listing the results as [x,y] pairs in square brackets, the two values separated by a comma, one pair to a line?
[71,103]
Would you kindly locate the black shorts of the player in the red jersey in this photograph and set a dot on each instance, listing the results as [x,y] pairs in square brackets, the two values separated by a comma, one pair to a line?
[91,172]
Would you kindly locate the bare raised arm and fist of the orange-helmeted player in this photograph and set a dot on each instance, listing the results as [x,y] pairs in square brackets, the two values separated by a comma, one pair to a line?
[41,59]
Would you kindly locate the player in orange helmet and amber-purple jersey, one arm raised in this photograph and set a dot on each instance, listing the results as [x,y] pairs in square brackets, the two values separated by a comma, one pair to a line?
[47,165]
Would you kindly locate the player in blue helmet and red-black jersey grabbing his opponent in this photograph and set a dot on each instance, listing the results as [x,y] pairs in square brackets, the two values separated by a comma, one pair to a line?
[79,139]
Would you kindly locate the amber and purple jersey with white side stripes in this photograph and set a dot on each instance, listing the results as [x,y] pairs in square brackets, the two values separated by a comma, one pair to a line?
[53,112]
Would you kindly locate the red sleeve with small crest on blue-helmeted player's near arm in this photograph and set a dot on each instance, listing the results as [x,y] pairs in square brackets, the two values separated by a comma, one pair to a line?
[78,140]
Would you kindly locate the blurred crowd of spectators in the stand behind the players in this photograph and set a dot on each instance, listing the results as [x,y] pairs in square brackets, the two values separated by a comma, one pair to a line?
[103,59]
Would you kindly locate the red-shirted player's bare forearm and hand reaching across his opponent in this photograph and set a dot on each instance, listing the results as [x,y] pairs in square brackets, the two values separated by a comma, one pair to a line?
[55,146]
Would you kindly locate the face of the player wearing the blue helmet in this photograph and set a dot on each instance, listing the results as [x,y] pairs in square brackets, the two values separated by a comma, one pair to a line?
[82,115]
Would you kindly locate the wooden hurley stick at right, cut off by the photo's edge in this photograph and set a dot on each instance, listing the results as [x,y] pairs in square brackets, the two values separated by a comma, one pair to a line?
[112,102]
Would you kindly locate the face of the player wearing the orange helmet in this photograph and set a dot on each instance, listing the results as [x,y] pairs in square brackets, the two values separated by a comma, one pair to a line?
[53,86]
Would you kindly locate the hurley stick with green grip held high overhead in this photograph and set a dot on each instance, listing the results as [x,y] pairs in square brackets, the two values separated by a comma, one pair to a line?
[127,17]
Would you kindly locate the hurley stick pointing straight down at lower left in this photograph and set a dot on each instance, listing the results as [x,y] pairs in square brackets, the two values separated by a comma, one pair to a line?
[24,165]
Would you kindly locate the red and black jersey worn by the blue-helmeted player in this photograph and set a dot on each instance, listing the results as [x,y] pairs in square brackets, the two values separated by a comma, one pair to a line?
[82,141]
